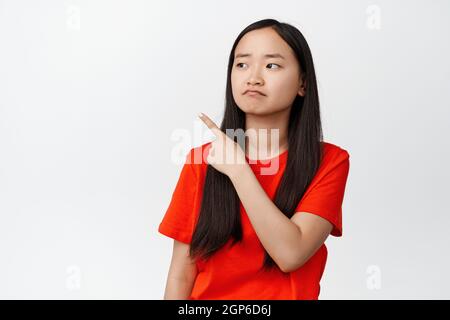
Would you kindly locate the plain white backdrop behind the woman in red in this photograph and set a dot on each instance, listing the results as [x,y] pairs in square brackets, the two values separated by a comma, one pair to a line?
[91,93]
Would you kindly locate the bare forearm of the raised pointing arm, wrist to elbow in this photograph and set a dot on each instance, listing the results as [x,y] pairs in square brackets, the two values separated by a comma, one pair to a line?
[277,233]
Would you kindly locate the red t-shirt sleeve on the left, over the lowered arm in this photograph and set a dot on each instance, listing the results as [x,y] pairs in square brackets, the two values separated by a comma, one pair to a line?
[178,221]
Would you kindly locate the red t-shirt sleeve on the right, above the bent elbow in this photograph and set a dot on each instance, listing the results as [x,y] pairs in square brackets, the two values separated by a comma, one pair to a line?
[325,194]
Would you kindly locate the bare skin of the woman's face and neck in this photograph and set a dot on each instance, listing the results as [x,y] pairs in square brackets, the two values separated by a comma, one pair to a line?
[278,78]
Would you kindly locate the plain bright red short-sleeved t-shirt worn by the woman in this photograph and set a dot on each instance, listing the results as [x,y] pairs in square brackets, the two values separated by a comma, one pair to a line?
[232,273]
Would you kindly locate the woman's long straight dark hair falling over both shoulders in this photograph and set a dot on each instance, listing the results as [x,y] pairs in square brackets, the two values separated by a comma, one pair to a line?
[219,217]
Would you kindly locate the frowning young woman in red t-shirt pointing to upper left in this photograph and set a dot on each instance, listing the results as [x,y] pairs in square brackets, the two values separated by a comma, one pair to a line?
[241,229]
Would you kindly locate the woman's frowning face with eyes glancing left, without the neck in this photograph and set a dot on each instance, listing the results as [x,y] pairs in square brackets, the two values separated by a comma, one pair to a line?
[278,78]
